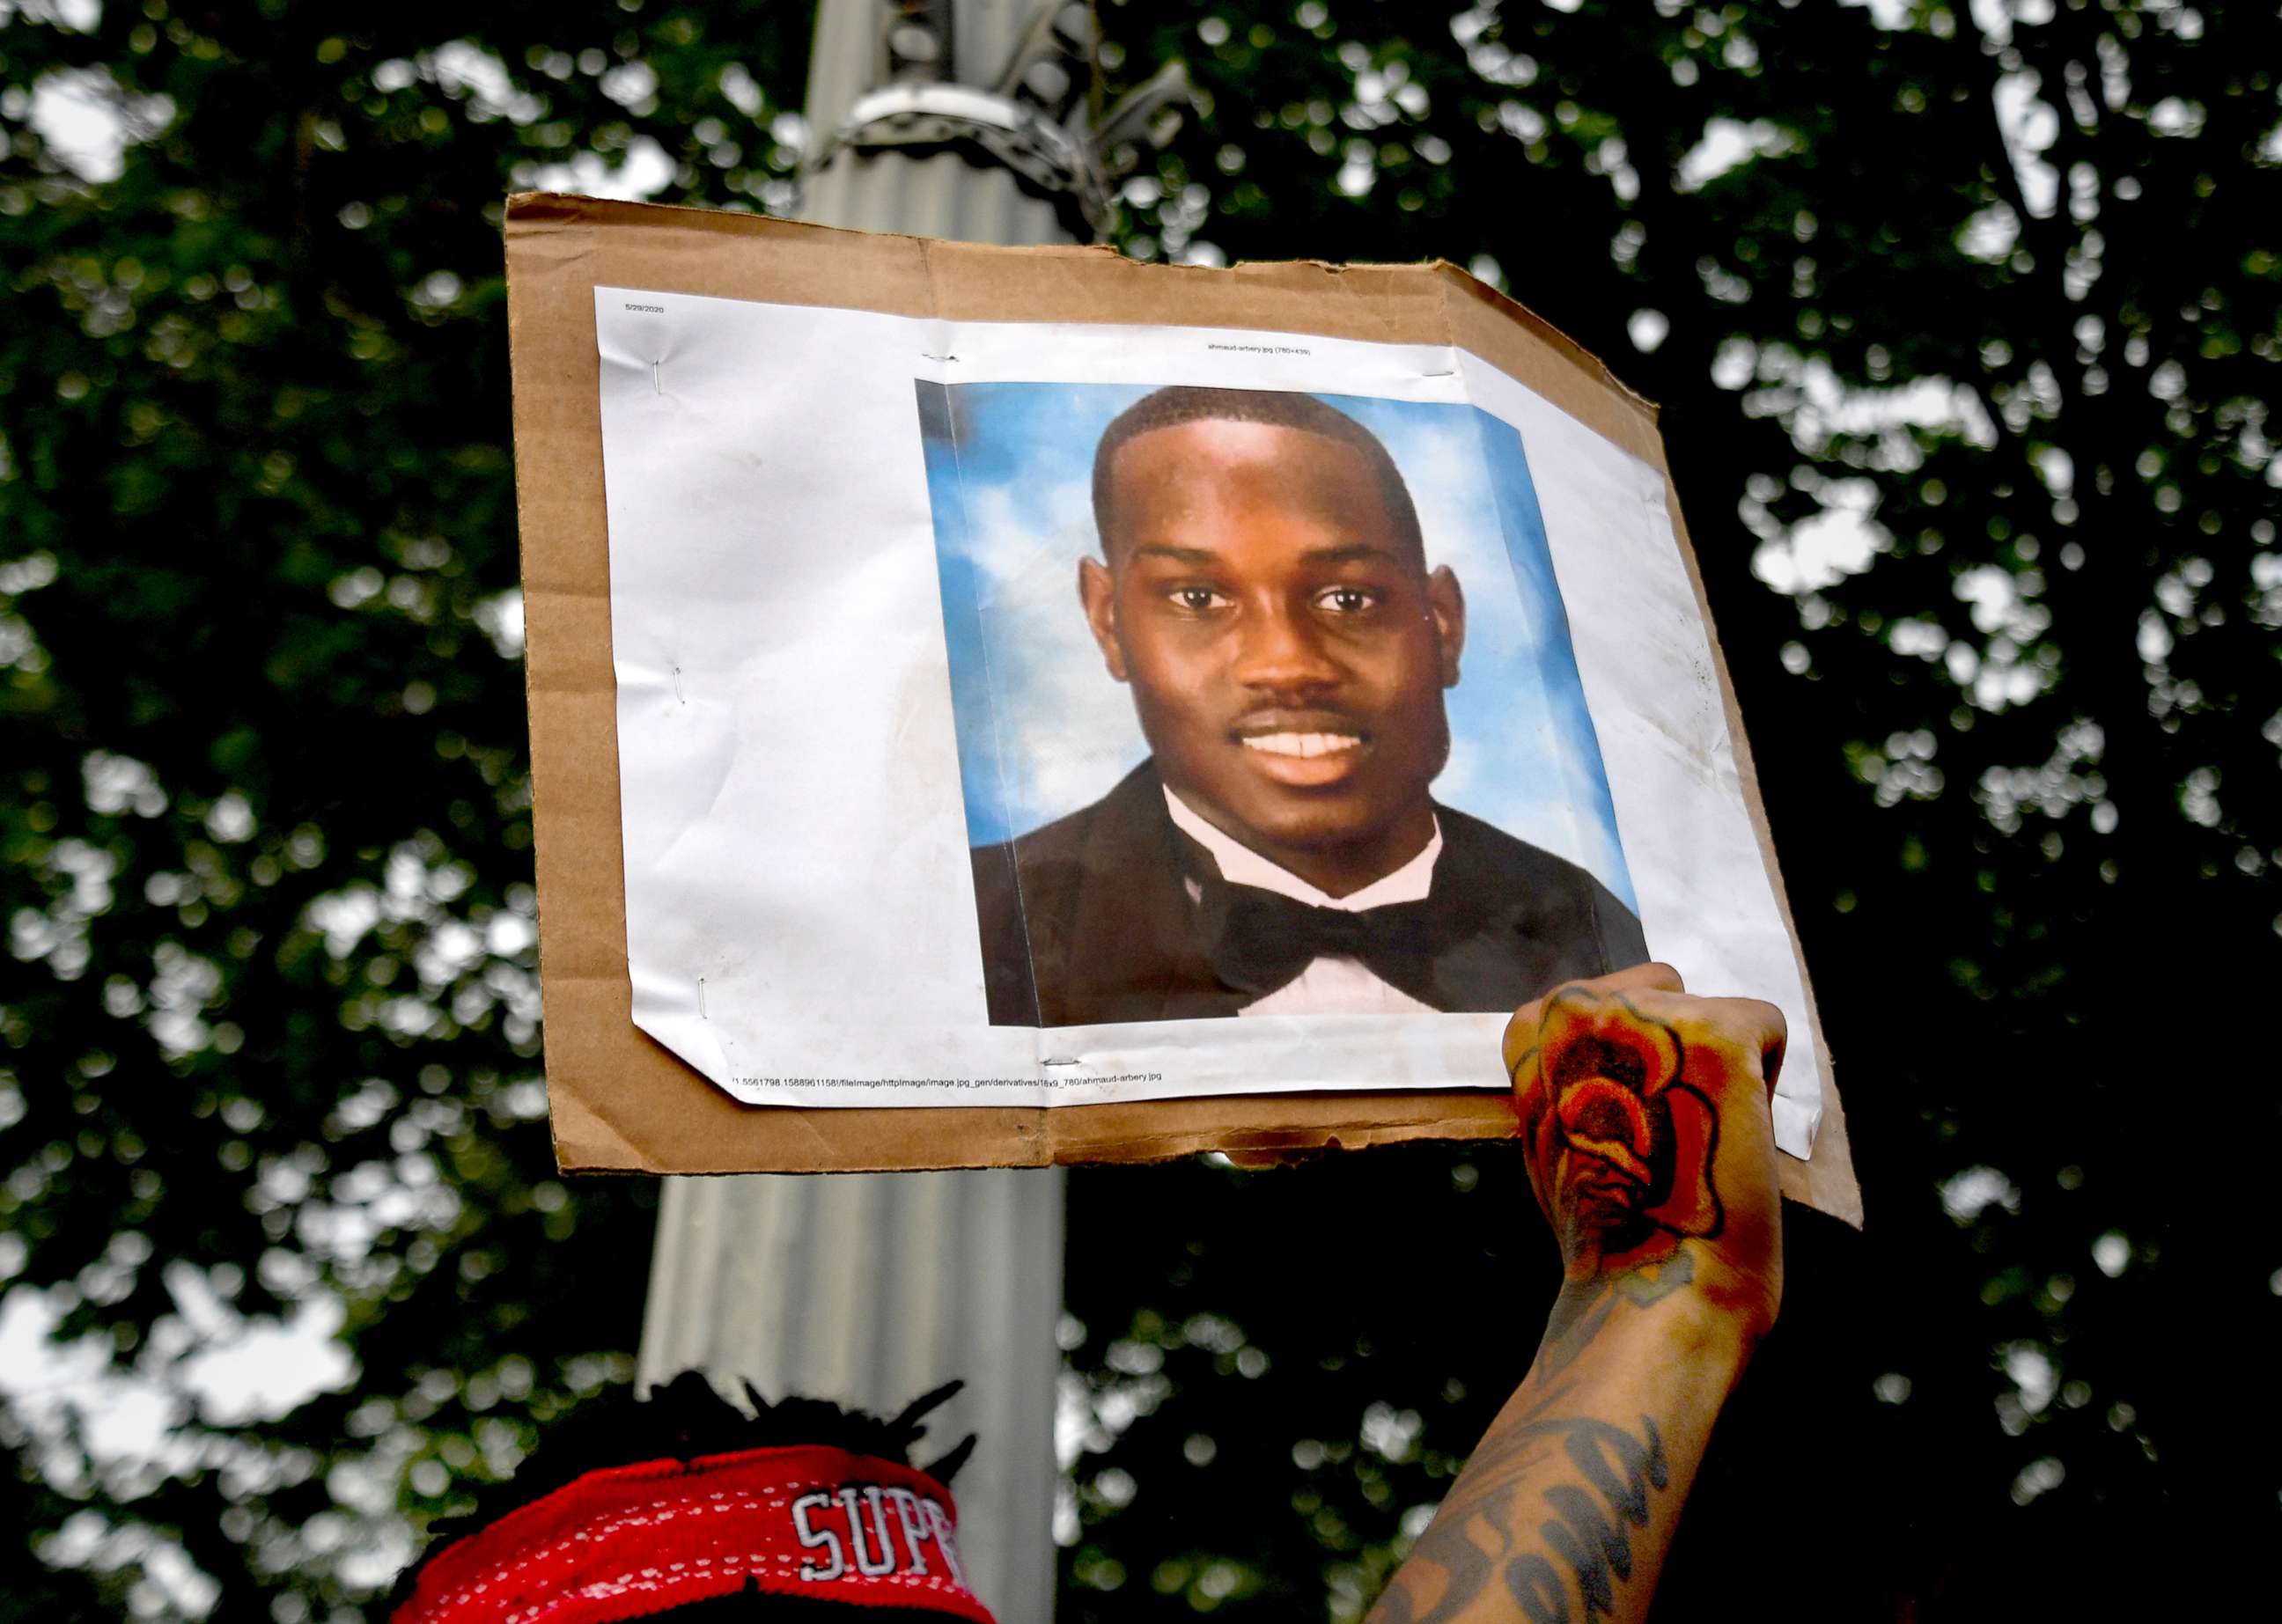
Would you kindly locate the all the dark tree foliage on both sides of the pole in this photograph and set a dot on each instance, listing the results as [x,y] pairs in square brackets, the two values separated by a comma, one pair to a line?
[1961,323]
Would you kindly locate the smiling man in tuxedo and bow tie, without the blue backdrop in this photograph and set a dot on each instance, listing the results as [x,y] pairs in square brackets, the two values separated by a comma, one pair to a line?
[1265,594]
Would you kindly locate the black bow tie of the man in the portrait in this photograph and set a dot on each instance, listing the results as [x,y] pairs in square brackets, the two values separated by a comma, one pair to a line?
[1261,941]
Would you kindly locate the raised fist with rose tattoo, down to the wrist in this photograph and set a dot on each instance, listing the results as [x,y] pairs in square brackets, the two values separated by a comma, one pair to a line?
[1649,1137]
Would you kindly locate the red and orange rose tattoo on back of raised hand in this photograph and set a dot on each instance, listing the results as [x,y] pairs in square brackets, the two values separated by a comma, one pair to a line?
[1619,1146]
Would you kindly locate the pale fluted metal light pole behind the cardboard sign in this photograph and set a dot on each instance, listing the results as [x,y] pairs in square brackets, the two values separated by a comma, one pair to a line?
[971,120]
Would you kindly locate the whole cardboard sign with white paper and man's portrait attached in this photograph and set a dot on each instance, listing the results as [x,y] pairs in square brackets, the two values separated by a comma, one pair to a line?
[1021,706]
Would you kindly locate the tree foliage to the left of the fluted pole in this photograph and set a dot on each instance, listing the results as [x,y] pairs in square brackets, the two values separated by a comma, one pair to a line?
[270,1009]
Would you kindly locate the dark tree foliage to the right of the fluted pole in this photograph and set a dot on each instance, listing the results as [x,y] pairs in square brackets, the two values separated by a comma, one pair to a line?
[1964,325]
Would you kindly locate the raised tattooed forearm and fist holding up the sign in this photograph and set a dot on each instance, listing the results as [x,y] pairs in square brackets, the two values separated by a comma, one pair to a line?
[1646,1128]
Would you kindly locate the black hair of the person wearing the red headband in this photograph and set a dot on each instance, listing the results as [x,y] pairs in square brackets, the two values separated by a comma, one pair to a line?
[683,1422]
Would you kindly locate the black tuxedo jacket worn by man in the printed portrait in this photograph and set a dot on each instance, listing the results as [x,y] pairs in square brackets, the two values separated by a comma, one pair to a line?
[1090,920]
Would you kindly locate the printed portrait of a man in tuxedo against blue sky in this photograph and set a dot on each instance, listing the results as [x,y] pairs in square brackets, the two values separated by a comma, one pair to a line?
[1265,706]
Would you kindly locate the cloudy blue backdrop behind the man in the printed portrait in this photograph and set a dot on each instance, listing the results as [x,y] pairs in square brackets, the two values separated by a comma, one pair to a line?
[1042,724]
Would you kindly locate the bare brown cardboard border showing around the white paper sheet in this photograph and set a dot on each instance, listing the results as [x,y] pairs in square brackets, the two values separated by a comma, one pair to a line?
[622,1101]
